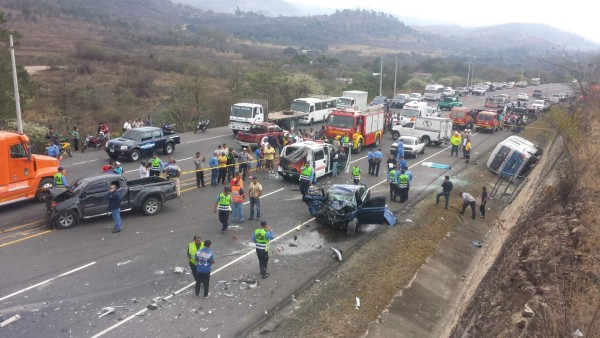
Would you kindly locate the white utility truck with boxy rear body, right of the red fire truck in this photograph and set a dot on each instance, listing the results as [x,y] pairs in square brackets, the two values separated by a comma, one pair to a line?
[431,130]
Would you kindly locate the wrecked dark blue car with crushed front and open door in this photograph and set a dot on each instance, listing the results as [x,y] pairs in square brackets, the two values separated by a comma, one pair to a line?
[346,206]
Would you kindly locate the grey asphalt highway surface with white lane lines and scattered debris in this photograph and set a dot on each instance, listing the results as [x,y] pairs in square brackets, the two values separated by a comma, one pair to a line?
[59,281]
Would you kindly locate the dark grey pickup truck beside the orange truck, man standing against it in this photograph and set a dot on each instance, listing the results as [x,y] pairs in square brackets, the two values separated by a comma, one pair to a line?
[86,198]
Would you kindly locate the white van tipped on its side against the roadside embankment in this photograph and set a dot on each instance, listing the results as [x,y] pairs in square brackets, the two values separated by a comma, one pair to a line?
[513,157]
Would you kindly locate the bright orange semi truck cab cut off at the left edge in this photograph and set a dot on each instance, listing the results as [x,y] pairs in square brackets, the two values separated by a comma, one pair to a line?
[23,175]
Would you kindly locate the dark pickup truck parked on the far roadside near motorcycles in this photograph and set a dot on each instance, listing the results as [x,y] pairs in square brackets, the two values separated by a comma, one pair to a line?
[142,141]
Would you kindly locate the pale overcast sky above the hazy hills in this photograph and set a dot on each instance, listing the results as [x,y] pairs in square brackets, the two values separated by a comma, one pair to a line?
[575,16]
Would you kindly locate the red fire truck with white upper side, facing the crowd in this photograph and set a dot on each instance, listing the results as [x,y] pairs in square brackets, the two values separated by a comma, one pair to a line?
[363,127]
